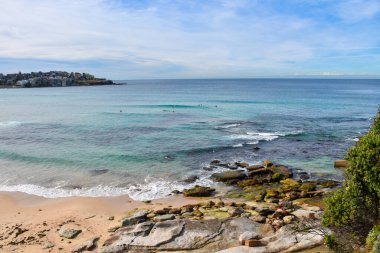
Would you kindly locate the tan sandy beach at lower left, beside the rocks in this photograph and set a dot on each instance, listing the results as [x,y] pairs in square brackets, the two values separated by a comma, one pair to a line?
[30,223]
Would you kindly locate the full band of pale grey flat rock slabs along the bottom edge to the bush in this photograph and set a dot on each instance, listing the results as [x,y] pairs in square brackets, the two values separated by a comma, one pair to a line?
[204,236]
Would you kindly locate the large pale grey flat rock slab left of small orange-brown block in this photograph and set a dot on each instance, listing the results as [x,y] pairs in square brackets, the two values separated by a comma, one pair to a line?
[202,236]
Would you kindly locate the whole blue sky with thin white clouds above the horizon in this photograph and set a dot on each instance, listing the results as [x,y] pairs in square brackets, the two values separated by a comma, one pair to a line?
[145,39]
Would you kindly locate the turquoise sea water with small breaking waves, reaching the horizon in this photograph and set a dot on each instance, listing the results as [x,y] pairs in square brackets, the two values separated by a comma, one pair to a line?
[143,138]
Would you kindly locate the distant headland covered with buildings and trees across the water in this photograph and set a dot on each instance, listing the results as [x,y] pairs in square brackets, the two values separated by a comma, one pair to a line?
[50,79]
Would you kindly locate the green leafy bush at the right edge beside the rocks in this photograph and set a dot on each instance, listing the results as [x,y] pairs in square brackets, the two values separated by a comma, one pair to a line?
[352,212]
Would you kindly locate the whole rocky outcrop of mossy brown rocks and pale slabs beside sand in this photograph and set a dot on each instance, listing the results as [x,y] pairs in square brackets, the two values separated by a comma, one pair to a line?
[262,214]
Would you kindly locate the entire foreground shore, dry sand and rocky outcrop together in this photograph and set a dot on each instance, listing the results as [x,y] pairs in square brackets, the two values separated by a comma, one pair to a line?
[267,210]
